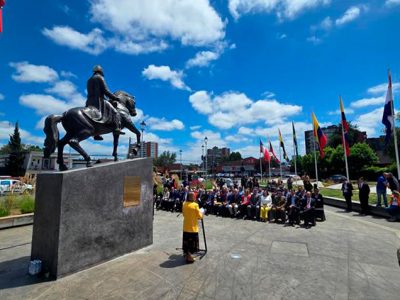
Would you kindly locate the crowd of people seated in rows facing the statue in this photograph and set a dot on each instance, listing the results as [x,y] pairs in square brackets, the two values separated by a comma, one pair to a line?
[275,202]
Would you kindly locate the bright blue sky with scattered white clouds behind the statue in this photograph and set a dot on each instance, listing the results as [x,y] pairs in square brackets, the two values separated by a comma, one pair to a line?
[232,70]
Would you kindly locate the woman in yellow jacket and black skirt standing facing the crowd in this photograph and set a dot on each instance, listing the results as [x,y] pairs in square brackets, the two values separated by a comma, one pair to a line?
[191,214]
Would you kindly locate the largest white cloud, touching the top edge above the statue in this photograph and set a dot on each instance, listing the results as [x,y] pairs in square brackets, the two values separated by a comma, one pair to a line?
[136,26]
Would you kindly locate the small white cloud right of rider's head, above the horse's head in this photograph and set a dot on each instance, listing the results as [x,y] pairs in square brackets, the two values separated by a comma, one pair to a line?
[165,73]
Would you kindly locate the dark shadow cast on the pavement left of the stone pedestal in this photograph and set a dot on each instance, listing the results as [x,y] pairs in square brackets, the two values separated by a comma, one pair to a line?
[14,273]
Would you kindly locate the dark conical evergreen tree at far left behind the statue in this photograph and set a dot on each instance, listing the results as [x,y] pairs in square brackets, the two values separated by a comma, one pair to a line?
[16,157]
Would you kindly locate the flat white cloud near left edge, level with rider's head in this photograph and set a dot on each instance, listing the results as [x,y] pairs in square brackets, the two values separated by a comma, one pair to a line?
[26,72]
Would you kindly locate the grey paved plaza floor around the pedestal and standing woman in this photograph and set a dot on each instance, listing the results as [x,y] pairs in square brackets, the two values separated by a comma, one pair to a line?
[345,257]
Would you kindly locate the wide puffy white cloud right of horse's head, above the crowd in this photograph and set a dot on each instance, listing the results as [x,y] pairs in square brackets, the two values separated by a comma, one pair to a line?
[235,109]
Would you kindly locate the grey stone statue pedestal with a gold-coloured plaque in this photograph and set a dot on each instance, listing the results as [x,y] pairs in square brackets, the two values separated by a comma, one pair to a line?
[87,216]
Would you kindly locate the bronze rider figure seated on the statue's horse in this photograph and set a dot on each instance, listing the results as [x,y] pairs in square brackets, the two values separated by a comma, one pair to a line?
[97,89]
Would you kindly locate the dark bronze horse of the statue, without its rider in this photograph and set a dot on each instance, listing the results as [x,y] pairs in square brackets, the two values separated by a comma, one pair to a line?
[80,123]
